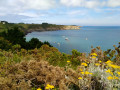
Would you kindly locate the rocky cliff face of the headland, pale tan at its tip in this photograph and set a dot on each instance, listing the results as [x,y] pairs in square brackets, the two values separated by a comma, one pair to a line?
[53,28]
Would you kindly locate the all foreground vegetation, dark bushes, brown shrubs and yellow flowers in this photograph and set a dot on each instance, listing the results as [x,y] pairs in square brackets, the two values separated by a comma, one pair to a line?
[35,65]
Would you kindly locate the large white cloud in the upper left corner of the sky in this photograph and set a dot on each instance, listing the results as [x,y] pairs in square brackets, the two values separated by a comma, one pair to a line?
[17,6]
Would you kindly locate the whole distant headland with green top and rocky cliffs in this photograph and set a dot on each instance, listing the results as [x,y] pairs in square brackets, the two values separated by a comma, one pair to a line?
[27,28]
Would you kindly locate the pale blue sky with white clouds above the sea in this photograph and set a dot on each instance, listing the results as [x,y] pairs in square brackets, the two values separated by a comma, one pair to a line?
[65,12]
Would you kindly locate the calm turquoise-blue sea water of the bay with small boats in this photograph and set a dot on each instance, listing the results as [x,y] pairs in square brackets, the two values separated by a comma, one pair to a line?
[82,40]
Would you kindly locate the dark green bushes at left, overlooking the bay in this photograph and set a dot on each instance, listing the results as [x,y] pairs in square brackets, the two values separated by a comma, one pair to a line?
[14,36]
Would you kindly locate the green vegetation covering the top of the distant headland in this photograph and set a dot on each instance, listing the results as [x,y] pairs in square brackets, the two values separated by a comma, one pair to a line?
[28,27]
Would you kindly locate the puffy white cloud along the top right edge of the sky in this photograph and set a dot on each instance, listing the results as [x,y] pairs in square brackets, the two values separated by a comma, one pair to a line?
[91,3]
